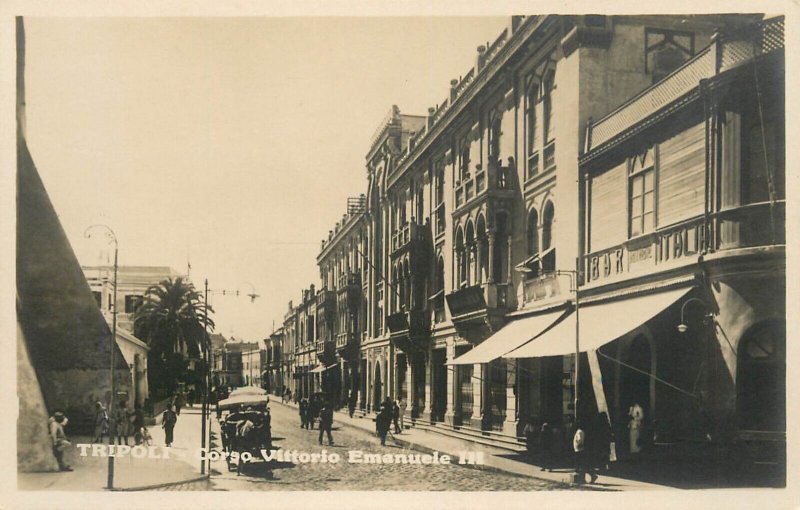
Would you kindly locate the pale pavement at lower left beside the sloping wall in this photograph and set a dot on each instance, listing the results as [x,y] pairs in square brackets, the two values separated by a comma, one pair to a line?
[130,473]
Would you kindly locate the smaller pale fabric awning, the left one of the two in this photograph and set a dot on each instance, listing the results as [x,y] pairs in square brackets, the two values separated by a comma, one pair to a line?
[511,336]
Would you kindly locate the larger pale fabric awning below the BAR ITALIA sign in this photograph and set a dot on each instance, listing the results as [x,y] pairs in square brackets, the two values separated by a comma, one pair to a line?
[599,325]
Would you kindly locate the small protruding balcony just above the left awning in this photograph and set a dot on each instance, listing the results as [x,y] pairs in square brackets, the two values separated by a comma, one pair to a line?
[478,309]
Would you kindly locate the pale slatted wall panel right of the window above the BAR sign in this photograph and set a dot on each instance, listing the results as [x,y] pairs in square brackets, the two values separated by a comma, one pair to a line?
[681,174]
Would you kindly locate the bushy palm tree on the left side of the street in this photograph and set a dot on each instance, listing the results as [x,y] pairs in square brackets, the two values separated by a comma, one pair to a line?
[172,322]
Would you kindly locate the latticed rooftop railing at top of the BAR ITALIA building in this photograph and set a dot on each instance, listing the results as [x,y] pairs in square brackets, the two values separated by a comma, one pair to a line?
[725,53]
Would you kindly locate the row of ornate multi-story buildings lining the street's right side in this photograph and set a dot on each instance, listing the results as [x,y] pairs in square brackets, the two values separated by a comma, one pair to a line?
[495,221]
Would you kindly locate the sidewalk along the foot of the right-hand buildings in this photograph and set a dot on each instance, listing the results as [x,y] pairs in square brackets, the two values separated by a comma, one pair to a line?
[494,458]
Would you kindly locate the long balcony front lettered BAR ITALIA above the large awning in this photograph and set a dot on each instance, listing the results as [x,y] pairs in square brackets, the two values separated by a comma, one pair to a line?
[748,226]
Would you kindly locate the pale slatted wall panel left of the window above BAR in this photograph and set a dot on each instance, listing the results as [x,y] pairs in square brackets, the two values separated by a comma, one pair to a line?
[608,215]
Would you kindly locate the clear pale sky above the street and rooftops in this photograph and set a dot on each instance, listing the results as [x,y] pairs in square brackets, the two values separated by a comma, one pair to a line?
[230,143]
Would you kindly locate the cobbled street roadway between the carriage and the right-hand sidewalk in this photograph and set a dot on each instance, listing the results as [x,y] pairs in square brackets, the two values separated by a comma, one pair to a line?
[351,476]
